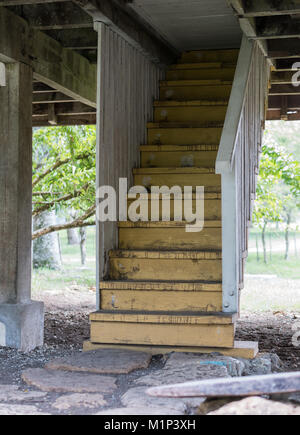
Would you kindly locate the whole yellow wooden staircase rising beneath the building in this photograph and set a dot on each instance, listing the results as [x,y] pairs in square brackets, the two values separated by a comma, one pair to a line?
[164,289]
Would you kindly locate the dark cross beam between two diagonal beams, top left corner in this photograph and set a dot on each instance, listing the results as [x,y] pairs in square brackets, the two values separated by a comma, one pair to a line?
[62,15]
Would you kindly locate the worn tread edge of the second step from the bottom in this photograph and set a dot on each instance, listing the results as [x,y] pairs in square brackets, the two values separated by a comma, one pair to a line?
[161,285]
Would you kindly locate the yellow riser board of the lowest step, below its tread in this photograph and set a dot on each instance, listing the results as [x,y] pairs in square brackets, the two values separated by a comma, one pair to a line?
[163,334]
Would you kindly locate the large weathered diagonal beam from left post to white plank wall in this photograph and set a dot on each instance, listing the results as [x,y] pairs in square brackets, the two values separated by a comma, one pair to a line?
[57,67]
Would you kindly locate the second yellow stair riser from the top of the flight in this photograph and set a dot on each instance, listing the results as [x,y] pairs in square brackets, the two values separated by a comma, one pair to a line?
[226,74]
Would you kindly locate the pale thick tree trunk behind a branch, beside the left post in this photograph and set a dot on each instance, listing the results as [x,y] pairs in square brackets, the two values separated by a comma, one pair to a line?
[46,249]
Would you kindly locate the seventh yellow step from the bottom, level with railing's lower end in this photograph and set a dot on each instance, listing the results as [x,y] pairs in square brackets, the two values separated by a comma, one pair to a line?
[154,156]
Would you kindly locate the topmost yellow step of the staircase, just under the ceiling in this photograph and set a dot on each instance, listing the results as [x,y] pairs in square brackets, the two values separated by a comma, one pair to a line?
[210,56]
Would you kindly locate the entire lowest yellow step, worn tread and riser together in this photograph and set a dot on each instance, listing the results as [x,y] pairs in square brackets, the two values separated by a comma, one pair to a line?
[172,329]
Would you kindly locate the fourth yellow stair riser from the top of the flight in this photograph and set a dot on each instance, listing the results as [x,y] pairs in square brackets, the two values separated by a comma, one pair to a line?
[190,113]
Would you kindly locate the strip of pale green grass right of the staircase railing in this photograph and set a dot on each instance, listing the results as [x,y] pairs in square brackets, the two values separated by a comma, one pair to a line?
[275,266]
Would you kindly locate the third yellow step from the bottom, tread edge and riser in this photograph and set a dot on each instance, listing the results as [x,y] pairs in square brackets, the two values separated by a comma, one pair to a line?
[166,266]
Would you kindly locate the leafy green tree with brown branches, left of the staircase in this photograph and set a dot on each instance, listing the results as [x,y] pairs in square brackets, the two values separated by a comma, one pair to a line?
[64,174]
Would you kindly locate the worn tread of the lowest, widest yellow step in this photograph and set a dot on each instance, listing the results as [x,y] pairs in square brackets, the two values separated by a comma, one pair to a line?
[183,317]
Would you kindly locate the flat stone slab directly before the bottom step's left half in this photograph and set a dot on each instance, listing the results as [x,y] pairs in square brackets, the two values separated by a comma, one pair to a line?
[103,361]
